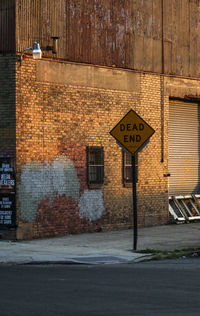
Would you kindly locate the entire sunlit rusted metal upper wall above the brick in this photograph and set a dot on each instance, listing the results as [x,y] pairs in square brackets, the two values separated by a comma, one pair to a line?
[151,35]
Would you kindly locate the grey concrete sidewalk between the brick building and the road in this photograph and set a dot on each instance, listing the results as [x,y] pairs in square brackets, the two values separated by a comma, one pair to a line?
[102,247]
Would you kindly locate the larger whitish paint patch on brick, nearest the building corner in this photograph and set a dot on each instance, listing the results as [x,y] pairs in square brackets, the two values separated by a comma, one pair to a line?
[44,180]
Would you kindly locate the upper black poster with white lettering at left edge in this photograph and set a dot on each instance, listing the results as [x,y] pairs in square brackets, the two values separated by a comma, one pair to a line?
[7,176]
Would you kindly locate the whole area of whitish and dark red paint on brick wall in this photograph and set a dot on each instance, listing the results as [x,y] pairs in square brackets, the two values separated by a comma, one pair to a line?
[52,193]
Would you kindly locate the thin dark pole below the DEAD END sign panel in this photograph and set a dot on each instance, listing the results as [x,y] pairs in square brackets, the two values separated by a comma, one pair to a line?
[134,181]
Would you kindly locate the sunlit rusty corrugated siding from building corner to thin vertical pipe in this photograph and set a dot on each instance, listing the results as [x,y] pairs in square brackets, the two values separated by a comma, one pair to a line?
[104,32]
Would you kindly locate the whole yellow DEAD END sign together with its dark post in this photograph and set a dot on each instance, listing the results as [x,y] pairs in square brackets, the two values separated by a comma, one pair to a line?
[132,133]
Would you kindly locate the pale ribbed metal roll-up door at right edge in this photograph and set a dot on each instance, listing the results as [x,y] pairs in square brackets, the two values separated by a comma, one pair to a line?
[184,148]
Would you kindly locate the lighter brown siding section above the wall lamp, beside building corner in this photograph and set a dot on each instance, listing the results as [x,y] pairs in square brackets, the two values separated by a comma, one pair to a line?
[39,20]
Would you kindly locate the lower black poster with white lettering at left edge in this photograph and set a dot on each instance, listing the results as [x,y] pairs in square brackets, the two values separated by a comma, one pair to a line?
[7,209]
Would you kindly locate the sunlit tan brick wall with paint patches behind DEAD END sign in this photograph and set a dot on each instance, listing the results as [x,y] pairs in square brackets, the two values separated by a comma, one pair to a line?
[58,115]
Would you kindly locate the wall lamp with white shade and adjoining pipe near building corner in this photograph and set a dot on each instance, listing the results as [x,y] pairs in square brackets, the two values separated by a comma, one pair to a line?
[37,51]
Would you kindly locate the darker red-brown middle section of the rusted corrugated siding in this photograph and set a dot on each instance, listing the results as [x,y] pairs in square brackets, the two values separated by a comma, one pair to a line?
[98,32]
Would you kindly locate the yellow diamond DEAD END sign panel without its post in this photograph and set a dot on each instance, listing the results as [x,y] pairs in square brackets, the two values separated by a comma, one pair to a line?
[132,132]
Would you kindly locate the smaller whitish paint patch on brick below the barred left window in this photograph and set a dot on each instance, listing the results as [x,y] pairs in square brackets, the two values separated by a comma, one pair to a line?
[91,205]
